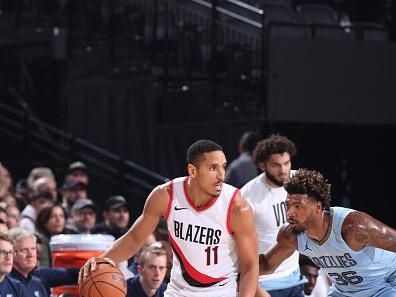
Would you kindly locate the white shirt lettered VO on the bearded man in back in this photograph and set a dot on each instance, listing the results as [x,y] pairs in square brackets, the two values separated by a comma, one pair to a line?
[269,209]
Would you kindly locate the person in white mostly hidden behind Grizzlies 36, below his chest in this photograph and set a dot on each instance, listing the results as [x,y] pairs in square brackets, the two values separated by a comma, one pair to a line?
[317,285]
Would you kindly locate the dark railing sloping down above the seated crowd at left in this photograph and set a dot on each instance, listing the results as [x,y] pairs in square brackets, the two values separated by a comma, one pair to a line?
[124,176]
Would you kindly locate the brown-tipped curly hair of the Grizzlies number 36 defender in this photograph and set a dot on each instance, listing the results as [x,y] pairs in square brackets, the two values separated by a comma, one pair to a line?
[312,183]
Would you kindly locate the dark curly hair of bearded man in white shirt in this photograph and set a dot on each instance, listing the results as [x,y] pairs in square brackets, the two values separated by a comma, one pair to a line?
[274,144]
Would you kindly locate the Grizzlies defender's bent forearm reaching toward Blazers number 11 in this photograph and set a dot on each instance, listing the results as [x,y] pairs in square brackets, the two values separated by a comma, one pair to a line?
[284,248]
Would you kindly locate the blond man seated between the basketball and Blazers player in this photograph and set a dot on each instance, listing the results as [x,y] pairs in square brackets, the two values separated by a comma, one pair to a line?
[152,269]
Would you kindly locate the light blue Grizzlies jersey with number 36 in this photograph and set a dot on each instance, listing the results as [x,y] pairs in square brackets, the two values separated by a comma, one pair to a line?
[368,272]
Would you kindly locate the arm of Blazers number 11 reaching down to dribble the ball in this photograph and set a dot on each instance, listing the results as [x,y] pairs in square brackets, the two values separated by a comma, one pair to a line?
[128,244]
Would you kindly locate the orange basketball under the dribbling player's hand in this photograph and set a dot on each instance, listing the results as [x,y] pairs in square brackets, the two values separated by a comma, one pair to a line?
[105,281]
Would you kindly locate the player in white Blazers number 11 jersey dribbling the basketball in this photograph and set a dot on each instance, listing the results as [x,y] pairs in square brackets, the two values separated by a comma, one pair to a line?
[211,230]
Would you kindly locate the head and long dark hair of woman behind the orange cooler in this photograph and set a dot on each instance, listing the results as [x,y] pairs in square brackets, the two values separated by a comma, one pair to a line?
[50,221]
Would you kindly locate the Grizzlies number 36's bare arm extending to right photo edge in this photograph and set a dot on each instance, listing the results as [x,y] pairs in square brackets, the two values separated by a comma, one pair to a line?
[360,229]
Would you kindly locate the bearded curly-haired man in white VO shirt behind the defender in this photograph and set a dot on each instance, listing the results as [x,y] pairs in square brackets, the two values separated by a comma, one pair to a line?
[266,195]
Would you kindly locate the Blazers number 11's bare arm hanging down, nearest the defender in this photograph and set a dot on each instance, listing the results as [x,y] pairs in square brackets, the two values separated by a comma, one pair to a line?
[244,230]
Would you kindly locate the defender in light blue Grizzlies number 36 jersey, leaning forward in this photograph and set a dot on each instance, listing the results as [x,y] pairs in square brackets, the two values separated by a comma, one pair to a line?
[355,250]
